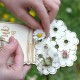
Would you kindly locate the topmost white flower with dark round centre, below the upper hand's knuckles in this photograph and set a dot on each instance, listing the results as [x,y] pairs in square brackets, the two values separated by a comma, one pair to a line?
[57,29]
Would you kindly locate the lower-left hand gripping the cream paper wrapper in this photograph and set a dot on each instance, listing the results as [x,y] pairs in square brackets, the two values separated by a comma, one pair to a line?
[17,70]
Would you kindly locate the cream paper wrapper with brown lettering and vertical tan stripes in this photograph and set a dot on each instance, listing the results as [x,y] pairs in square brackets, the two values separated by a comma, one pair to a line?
[24,36]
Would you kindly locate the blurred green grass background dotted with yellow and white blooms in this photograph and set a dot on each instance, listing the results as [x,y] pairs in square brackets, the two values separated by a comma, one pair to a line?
[70,13]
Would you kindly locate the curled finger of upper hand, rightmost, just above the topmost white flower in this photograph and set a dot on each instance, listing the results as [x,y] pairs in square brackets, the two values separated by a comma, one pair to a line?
[53,7]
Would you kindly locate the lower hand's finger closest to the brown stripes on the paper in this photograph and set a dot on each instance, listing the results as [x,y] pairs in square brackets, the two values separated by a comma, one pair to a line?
[19,57]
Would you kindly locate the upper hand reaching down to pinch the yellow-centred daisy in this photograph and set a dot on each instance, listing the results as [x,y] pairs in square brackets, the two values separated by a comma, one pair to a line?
[20,9]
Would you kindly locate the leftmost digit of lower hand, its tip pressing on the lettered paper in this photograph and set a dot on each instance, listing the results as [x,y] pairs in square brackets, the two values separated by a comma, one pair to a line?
[8,50]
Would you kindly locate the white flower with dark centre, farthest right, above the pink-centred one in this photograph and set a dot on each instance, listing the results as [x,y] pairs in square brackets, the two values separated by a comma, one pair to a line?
[68,42]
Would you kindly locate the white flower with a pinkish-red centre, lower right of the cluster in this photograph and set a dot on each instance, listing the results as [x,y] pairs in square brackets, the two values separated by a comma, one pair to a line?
[67,58]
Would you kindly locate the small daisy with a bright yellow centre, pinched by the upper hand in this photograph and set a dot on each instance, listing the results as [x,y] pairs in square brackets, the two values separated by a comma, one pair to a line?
[38,35]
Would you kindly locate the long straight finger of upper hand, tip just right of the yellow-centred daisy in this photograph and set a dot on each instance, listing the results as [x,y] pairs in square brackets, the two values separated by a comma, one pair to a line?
[43,15]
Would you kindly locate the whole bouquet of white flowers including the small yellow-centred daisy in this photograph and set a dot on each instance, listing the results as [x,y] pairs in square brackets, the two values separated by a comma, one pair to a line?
[58,50]
